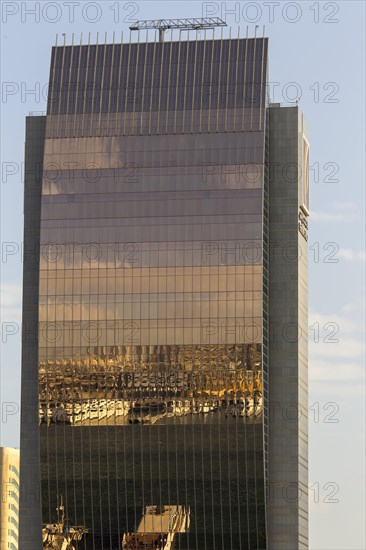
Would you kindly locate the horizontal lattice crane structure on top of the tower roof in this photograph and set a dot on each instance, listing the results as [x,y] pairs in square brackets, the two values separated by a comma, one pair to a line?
[183,24]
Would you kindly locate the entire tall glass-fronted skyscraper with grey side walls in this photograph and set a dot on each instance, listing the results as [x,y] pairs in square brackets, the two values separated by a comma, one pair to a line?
[166,206]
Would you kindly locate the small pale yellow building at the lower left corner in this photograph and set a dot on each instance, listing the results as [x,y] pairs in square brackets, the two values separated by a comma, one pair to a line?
[9,503]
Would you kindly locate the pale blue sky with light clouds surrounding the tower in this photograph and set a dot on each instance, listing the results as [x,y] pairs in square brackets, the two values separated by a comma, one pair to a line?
[316,52]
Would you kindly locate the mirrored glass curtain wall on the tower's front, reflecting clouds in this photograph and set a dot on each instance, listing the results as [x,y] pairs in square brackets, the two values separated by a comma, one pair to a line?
[152,369]
